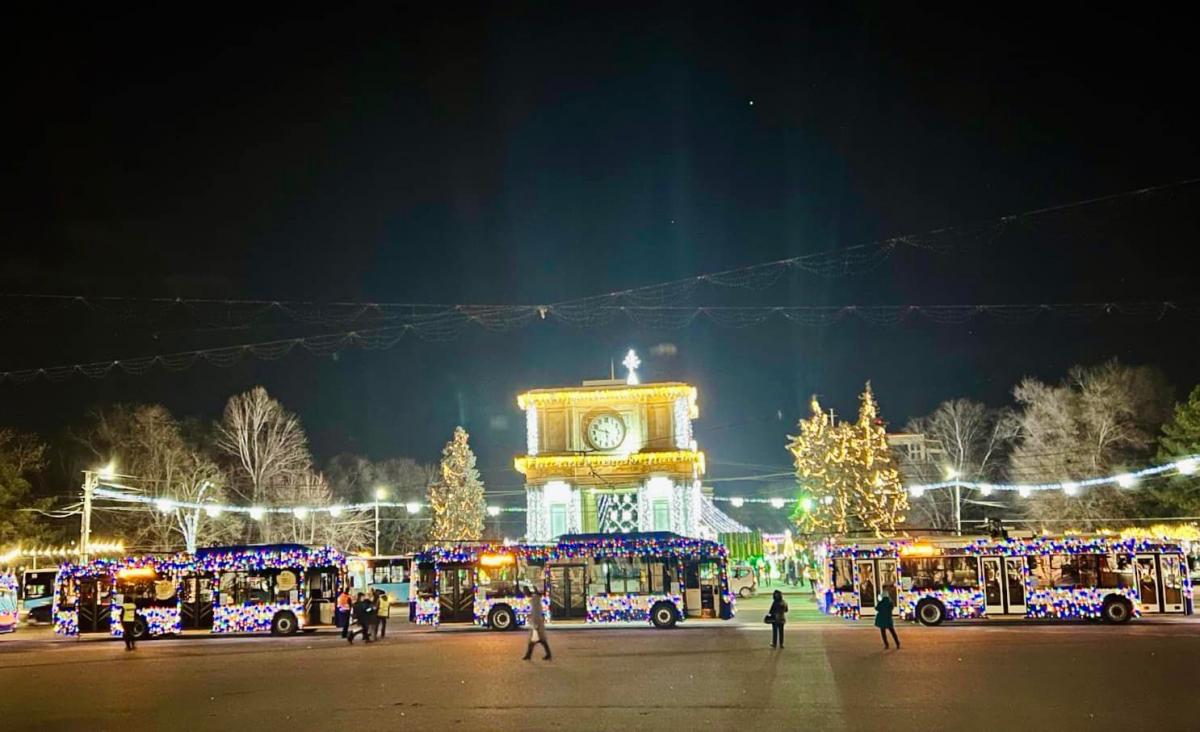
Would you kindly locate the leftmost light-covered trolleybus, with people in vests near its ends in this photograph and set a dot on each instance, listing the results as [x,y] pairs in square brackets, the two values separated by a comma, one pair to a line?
[279,589]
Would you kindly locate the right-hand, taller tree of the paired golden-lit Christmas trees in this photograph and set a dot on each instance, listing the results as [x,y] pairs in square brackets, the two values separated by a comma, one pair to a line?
[880,499]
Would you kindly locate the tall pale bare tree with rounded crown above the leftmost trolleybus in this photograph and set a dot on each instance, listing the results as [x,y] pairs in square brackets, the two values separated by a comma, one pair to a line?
[267,446]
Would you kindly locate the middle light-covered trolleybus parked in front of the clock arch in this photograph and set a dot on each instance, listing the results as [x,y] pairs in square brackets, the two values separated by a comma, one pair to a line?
[655,578]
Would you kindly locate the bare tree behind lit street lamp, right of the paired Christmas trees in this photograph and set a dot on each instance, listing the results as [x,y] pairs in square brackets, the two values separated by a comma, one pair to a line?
[975,442]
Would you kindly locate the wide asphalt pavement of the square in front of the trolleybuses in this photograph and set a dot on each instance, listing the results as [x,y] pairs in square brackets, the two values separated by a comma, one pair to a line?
[833,675]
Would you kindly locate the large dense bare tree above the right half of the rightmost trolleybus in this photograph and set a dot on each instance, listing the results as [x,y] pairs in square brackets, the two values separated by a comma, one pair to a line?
[1099,421]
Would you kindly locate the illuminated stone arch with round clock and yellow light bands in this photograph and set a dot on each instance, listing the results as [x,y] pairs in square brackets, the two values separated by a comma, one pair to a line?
[613,457]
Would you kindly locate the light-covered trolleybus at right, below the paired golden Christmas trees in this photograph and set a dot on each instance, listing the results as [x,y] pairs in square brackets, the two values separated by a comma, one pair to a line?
[932,580]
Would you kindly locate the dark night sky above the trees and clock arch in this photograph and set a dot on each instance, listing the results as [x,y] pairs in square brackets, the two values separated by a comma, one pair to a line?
[532,154]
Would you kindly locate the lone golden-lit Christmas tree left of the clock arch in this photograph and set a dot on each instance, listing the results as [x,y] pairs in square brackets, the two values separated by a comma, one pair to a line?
[457,497]
